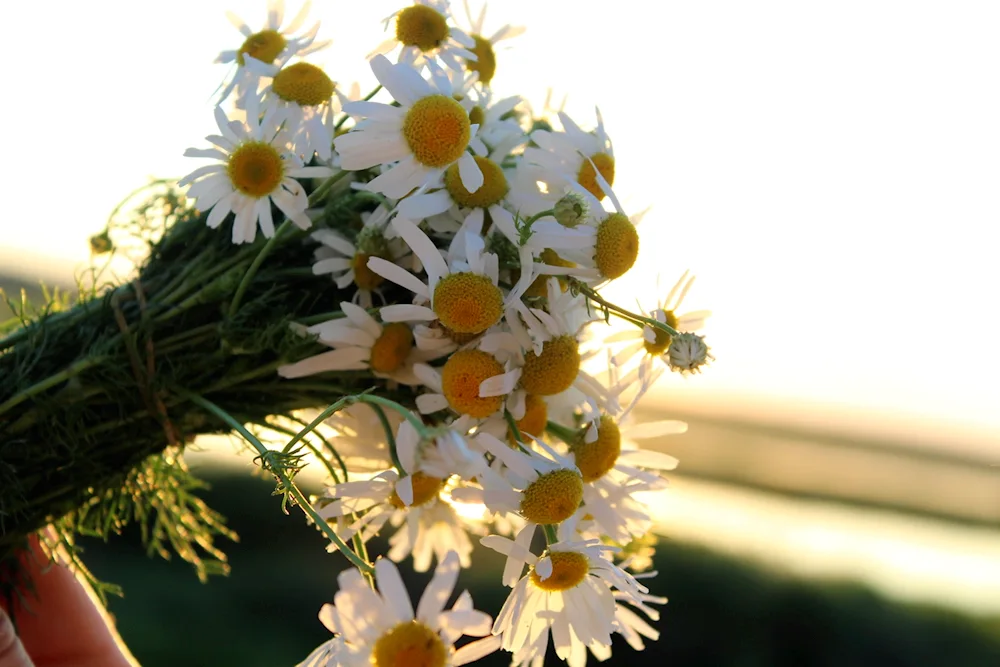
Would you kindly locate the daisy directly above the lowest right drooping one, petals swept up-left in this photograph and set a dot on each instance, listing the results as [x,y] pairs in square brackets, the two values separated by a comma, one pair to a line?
[542,488]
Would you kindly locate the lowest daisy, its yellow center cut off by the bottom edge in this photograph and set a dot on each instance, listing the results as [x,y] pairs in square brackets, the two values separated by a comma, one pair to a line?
[380,629]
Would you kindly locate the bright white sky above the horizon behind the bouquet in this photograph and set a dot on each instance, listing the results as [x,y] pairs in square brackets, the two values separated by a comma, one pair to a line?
[829,170]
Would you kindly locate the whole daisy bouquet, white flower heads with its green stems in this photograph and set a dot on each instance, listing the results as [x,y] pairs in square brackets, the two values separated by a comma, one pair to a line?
[402,289]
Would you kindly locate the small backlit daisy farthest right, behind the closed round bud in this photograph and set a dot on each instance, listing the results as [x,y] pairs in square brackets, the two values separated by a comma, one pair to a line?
[648,344]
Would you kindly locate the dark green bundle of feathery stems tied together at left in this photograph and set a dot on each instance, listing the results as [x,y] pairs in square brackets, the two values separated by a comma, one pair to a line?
[93,407]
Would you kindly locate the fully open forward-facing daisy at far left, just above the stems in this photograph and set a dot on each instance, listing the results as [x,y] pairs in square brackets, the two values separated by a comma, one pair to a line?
[253,171]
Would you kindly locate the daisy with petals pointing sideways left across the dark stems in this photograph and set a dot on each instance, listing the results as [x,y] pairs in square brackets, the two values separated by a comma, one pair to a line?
[360,342]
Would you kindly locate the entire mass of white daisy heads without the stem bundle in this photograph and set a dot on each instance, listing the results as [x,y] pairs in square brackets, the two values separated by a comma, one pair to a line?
[473,277]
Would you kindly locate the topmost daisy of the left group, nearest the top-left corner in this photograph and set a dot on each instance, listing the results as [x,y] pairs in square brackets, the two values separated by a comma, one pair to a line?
[267,45]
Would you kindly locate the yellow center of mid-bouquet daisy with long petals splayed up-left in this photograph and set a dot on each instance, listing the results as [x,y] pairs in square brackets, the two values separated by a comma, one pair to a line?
[467,303]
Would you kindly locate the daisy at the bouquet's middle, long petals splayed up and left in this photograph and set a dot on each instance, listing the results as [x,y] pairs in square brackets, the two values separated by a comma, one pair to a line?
[465,297]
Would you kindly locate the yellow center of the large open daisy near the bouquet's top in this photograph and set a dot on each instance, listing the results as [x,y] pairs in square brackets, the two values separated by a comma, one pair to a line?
[437,130]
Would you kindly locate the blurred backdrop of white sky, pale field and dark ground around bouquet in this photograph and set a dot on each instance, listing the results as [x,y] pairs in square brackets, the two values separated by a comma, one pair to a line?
[829,171]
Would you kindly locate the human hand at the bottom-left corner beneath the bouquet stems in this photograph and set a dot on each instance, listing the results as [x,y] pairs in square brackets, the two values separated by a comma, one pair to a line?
[62,624]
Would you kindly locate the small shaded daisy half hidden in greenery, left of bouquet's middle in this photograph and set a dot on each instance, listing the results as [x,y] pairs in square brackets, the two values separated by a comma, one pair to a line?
[346,261]
